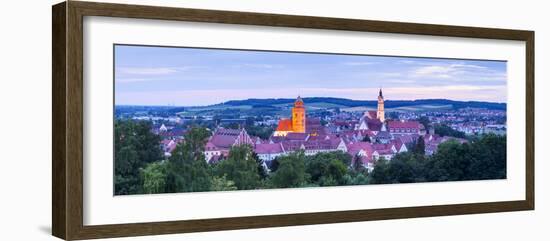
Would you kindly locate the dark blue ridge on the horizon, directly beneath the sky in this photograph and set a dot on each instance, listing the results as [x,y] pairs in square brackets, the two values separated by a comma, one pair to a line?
[348,103]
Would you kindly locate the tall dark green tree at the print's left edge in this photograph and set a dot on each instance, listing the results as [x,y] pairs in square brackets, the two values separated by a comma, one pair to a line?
[135,147]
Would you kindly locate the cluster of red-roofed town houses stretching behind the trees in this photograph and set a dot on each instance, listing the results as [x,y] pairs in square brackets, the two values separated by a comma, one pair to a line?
[367,140]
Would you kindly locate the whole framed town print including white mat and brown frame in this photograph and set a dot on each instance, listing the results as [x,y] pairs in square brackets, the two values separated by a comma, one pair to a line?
[171,120]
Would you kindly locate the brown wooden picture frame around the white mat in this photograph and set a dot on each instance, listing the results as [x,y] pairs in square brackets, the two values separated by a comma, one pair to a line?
[67,124]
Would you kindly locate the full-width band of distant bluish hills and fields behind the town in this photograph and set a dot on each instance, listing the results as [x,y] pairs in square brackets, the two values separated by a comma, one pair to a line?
[281,107]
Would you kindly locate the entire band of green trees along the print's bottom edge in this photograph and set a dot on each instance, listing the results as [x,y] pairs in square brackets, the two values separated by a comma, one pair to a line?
[140,166]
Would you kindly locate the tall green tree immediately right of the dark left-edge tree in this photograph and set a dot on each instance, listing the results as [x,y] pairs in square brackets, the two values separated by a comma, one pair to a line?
[187,168]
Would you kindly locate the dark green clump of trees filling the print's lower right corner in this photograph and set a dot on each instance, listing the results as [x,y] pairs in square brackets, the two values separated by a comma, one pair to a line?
[483,158]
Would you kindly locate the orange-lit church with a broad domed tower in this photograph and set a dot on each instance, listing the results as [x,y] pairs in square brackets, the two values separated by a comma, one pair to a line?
[297,121]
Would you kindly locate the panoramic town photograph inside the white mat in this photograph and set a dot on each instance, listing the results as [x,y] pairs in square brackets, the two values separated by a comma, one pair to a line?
[203,119]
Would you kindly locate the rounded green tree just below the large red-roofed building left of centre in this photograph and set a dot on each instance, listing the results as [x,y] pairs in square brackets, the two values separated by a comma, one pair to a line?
[240,167]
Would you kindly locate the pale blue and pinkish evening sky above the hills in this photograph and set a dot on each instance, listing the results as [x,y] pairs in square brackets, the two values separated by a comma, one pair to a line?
[192,77]
